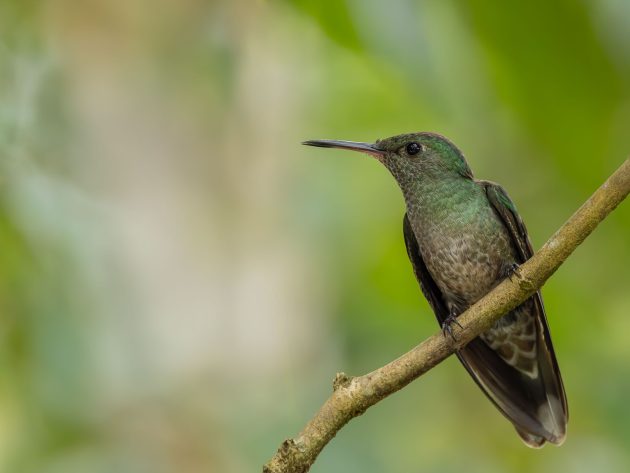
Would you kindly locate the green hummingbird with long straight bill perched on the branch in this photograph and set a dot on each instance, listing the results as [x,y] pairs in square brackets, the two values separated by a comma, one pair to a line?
[463,237]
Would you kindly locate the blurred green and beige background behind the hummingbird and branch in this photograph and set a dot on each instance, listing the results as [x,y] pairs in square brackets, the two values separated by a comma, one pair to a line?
[180,279]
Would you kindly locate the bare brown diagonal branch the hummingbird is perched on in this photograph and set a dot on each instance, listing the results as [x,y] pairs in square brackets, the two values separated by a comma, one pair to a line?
[353,396]
